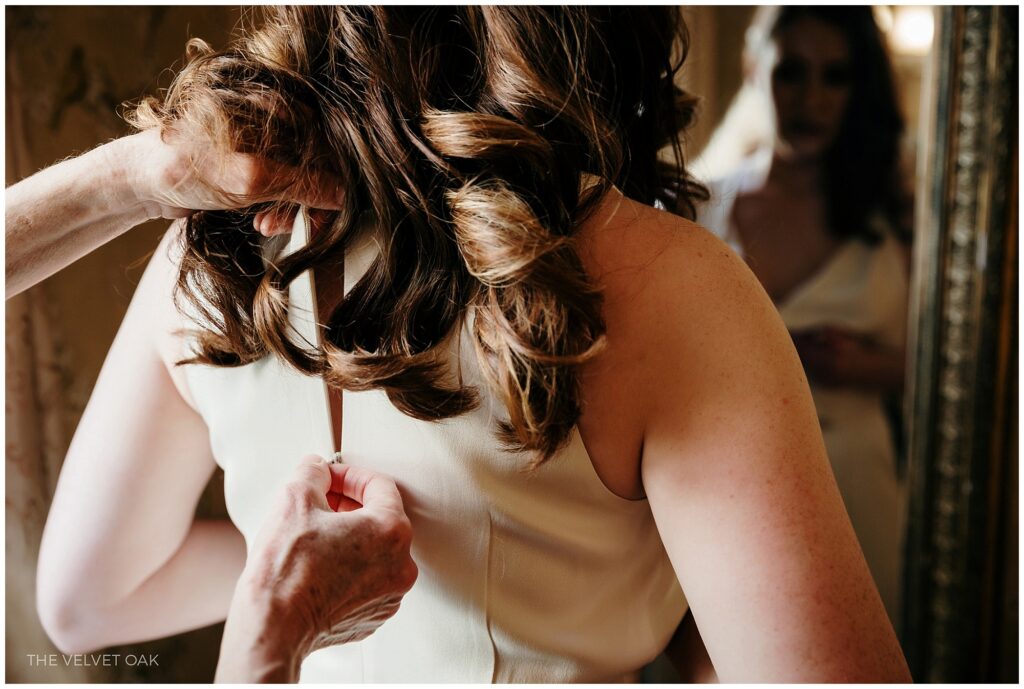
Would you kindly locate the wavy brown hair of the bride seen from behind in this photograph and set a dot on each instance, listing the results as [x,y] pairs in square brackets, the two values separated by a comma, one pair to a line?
[466,135]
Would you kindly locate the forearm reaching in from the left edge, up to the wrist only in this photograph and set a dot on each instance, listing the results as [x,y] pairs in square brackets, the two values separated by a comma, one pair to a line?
[62,213]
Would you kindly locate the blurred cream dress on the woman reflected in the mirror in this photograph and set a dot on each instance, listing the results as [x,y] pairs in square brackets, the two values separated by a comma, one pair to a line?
[863,289]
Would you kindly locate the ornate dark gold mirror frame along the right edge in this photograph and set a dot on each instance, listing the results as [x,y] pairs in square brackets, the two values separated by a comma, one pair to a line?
[960,622]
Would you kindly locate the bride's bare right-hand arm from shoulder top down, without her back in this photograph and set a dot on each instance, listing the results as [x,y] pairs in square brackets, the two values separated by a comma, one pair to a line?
[739,482]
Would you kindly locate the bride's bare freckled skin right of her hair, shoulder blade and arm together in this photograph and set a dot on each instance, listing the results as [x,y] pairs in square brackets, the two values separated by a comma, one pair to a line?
[701,404]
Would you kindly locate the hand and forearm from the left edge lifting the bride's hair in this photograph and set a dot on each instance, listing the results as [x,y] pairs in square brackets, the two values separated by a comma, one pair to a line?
[68,210]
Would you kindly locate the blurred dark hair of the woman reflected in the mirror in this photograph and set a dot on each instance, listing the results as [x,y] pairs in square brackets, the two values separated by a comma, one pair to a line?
[863,168]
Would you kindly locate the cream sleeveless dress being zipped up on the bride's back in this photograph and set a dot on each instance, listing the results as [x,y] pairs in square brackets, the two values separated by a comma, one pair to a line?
[543,578]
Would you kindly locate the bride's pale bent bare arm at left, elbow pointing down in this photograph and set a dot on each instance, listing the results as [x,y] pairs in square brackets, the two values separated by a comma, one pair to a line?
[121,559]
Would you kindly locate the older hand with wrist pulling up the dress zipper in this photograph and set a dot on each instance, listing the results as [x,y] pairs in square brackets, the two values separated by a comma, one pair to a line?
[330,566]
